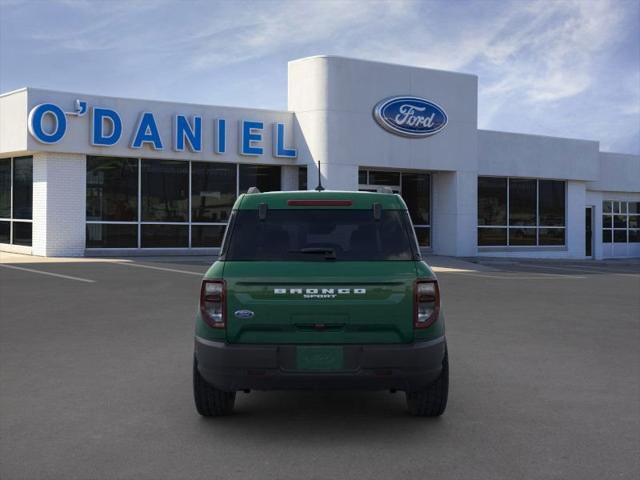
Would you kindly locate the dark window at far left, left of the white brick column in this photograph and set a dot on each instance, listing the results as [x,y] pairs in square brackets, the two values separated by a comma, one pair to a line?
[16,200]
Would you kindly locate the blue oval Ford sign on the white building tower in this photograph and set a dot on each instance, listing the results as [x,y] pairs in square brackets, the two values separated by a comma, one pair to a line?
[410,116]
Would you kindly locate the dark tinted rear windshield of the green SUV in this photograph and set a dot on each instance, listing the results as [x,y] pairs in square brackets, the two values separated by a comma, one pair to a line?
[319,235]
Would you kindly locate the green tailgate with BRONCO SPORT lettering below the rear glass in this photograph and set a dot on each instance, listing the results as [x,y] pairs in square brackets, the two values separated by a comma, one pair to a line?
[319,302]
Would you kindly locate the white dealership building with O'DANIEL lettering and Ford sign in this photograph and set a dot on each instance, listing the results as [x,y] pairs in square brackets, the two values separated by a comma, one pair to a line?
[94,175]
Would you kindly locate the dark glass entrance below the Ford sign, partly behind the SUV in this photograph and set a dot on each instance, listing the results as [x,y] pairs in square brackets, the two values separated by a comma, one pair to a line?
[415,189]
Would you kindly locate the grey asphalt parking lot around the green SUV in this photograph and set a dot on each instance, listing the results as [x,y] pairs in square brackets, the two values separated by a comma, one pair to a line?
[95,382]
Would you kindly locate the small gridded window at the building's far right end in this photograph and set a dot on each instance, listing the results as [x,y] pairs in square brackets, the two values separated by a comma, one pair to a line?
[620,222]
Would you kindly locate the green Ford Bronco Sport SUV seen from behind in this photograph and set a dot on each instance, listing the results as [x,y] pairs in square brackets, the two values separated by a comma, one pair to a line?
[320,290]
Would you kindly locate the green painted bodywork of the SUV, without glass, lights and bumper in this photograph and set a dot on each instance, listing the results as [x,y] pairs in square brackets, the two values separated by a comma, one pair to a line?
[383,315]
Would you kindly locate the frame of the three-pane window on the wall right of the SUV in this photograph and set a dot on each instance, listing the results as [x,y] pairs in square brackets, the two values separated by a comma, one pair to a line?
[538,226]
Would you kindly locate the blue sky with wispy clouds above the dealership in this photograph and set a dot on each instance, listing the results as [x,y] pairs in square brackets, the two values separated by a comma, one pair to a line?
[568,68]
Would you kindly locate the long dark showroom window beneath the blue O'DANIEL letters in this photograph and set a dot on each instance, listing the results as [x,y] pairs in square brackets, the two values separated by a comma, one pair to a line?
[142,203]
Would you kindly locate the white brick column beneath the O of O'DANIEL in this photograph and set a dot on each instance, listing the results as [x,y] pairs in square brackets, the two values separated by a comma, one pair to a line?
[59,204]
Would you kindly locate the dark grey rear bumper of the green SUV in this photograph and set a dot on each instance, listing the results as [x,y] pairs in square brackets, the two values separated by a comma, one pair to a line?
[408,367]
